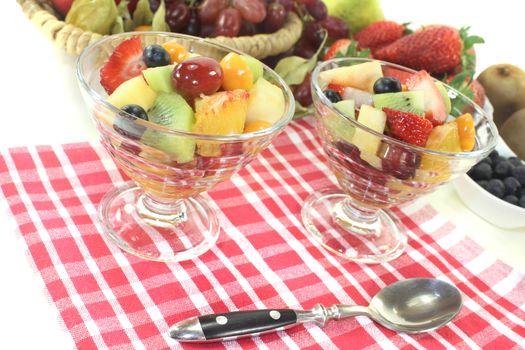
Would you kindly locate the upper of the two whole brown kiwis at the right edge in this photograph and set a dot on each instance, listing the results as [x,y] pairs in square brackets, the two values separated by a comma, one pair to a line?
[505,88]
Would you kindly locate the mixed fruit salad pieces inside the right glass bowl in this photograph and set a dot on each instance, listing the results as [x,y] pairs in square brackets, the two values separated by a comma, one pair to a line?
[410,107]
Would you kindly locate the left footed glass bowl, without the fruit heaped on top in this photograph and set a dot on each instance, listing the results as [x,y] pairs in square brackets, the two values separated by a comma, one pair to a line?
[161,215]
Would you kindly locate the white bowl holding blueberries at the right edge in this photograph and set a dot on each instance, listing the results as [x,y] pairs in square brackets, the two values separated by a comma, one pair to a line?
[487,206]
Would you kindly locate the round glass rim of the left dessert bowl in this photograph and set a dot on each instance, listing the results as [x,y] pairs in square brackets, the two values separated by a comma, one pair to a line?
[280,124]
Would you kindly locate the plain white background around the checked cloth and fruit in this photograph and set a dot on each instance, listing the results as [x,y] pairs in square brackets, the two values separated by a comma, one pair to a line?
[40,104]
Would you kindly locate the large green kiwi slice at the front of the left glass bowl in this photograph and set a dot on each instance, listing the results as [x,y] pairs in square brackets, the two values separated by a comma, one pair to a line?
[172,111]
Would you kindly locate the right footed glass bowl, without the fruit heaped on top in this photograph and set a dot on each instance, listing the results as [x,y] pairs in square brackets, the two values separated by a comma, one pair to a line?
[354,222]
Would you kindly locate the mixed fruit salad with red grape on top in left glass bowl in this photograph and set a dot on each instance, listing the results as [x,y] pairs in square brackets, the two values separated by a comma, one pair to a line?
[168,85]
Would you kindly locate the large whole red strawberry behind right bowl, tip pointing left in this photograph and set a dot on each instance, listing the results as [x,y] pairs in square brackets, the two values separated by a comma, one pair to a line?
[436,49]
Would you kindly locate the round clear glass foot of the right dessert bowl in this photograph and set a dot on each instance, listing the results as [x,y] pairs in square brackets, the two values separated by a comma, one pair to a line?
[360,235]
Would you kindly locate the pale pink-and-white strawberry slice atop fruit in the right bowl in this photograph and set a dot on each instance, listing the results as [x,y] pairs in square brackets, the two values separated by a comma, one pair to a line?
[435,109]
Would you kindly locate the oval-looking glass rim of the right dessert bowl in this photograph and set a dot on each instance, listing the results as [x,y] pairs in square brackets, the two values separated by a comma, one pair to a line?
[471,154]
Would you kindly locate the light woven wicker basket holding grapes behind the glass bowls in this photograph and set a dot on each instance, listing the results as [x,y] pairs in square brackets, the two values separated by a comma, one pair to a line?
[74,39]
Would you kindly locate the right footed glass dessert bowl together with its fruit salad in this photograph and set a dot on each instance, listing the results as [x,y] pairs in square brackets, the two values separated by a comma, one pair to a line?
[390,135]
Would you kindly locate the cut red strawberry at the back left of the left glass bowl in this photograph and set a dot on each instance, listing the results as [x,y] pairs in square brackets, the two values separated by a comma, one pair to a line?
[124,63]
